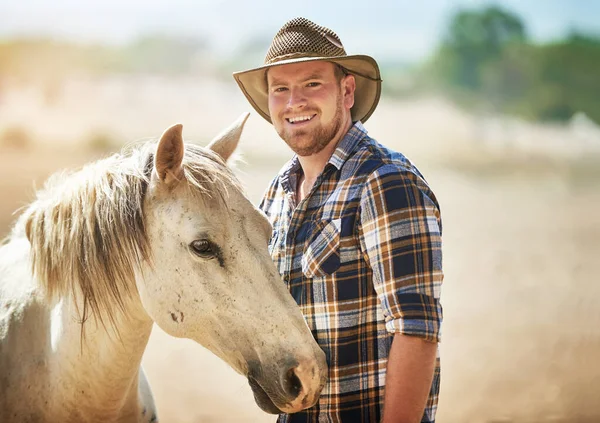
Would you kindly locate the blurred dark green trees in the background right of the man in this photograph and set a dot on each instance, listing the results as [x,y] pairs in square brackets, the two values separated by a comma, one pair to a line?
[485,61]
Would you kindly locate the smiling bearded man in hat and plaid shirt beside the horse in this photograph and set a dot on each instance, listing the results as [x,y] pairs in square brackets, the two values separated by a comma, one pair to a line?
[357,231]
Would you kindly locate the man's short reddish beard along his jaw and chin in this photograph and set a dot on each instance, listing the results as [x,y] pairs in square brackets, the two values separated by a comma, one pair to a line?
[321,136]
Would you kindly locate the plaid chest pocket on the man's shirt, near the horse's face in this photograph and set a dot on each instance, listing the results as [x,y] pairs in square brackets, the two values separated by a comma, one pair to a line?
[322,253]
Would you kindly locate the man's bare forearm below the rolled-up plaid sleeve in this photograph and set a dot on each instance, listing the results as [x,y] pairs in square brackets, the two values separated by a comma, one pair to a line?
[408,379]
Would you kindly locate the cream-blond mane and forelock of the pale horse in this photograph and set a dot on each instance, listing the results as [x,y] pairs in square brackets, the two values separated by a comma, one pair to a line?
[87,229]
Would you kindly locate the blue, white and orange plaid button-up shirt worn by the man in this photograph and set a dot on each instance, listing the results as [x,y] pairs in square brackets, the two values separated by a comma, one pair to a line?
[361,255]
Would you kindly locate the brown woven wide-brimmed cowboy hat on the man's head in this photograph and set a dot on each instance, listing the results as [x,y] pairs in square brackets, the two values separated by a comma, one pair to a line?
[301,40]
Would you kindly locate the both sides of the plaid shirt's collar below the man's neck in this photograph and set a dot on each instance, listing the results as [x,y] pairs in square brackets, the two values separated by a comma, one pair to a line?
[289,173]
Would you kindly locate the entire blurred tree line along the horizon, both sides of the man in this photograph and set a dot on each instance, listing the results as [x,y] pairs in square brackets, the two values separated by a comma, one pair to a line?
[485,61]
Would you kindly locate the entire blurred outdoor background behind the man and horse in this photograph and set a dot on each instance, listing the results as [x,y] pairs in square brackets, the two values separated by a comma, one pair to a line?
[497,104]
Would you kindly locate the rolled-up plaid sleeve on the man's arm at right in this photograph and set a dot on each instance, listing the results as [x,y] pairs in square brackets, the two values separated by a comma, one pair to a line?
[400,233]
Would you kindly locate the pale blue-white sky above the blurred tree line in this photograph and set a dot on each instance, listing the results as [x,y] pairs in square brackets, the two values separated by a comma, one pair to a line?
[404,30]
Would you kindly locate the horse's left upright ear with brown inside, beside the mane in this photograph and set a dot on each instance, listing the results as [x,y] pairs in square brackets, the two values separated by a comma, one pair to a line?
[169,155]
